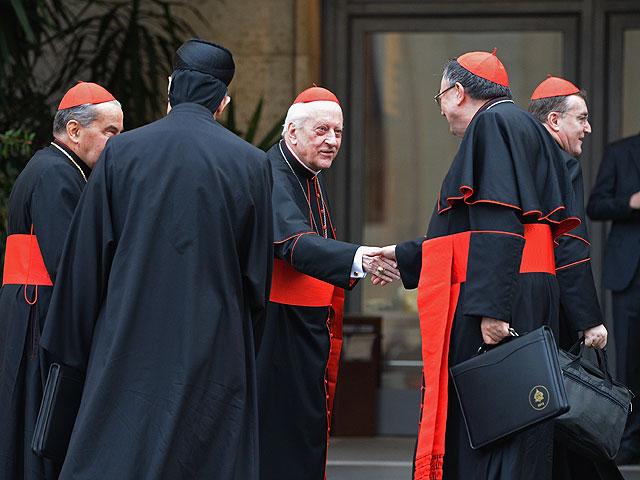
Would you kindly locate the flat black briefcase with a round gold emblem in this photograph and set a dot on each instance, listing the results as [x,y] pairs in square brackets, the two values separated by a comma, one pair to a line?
[511,387]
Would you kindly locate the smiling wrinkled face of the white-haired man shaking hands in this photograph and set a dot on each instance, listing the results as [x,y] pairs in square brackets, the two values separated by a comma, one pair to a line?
[317,140]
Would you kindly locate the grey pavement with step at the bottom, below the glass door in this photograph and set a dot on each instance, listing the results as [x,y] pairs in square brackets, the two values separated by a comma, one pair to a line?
[388,458]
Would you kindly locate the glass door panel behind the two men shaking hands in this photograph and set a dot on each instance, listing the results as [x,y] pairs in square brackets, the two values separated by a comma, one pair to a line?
[408,149]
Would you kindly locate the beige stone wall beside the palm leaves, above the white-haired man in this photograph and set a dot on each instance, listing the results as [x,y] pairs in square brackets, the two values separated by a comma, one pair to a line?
[276,48]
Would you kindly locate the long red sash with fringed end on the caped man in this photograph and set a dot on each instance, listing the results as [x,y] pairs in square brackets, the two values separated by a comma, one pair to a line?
[444,268]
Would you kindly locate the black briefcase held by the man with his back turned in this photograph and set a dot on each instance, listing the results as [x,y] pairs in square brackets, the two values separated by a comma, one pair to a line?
[58,410]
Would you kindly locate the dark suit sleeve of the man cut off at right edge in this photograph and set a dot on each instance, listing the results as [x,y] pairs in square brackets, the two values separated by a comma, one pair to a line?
[605,202]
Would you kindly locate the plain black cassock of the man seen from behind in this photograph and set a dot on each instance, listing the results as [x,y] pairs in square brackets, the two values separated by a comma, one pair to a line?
[166,267]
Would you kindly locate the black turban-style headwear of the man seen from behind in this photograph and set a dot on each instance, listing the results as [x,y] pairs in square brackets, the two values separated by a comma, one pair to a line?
[202,72]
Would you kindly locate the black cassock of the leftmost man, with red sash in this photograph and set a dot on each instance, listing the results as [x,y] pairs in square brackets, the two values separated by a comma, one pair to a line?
[44,196]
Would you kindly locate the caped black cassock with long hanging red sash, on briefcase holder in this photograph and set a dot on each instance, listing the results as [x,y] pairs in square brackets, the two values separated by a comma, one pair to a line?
[508,187]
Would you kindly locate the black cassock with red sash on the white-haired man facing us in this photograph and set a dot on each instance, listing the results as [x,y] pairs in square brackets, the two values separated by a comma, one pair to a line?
[297,360]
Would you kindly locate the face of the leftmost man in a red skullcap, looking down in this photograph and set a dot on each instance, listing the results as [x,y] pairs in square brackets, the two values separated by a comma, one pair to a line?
[91,140]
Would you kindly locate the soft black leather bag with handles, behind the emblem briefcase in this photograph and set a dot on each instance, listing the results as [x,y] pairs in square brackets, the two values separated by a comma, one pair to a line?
[599,405]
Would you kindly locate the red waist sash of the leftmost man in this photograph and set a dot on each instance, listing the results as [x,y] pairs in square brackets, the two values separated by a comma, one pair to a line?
[23,263]
